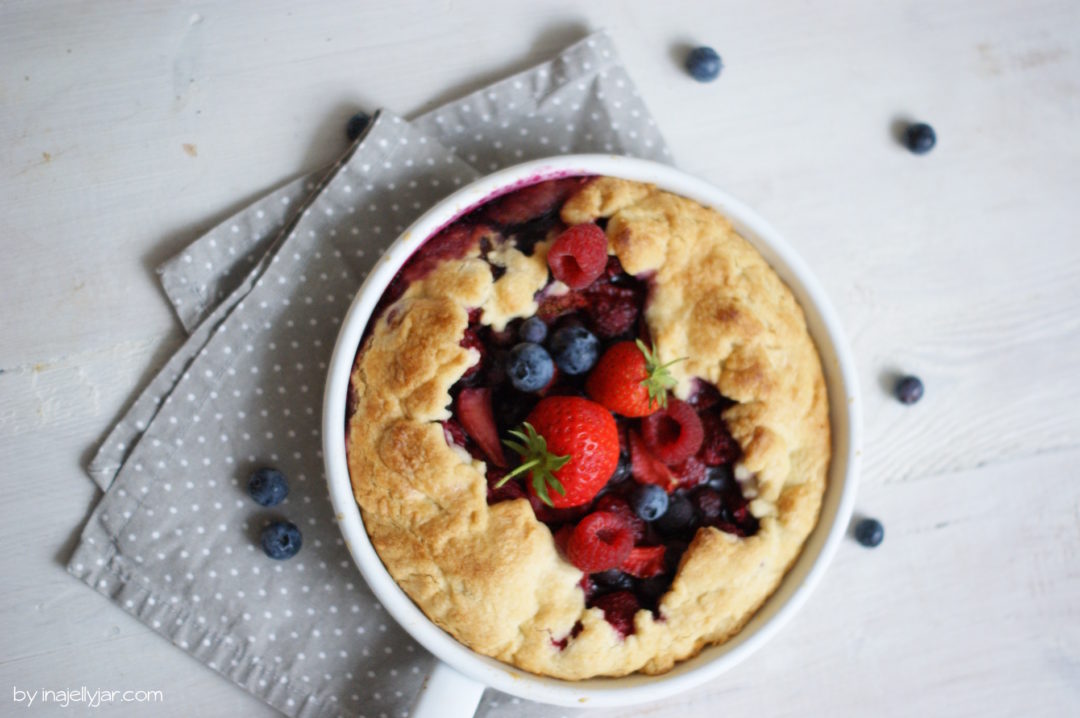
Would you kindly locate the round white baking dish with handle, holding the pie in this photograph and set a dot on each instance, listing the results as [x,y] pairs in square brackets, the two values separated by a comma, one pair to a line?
[457,684]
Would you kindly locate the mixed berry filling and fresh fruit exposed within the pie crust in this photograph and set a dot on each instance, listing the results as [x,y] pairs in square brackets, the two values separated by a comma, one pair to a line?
[573,411]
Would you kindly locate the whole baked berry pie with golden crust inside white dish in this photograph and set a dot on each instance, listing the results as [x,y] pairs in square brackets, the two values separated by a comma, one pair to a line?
[588,429]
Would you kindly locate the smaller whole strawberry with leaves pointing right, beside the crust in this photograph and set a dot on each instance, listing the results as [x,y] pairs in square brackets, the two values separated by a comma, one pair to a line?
[630,381]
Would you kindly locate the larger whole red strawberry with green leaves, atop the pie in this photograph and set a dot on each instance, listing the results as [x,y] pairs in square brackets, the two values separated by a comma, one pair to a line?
[569,444]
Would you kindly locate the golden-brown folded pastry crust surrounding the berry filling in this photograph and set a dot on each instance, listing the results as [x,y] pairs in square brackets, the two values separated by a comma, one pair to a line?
[491,575]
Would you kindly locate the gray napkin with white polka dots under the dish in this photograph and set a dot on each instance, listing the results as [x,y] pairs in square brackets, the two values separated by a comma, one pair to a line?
[175,539]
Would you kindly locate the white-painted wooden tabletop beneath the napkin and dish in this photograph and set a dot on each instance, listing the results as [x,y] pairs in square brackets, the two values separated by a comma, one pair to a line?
[128,128]
